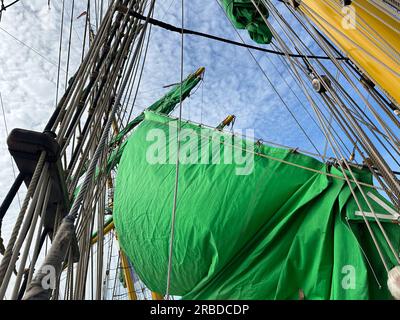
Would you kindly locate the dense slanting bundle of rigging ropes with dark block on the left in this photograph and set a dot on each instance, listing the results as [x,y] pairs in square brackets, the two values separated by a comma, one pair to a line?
[72,145]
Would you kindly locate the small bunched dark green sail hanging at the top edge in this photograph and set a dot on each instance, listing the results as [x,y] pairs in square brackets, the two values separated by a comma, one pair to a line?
[244,15]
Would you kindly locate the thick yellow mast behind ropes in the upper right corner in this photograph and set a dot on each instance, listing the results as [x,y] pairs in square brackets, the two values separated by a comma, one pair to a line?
[369,36]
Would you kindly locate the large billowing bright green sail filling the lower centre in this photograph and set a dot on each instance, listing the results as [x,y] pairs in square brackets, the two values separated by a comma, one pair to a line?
[267,235]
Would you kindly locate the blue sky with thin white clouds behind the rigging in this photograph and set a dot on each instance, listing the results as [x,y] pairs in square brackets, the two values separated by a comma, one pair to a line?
[233,82]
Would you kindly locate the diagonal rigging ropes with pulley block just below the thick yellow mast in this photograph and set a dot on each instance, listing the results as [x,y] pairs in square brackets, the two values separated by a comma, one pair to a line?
[367,134]
